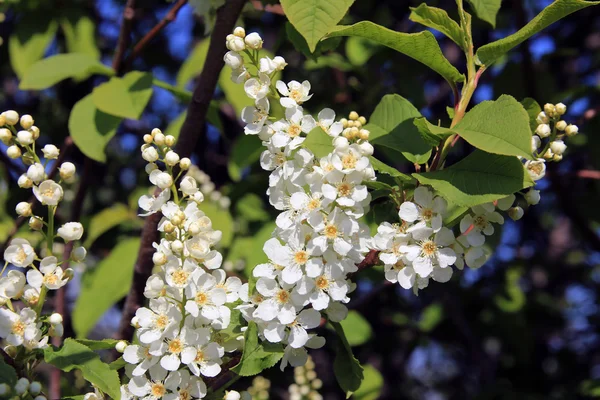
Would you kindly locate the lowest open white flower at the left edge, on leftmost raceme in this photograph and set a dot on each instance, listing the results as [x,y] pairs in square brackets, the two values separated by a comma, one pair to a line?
[18,328]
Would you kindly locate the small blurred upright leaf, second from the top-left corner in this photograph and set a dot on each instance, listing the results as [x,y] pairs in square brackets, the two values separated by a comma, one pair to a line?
[80,34]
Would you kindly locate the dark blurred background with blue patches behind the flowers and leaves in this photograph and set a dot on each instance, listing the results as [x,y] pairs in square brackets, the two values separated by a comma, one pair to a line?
[524,326]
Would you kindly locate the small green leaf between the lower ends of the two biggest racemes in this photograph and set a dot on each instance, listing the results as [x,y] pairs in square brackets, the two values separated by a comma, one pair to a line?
[257,356]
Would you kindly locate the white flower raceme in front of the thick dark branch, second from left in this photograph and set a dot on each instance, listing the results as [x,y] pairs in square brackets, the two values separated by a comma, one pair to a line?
[179,333]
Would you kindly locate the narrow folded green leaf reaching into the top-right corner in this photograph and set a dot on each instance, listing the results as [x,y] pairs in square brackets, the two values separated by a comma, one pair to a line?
[491,52]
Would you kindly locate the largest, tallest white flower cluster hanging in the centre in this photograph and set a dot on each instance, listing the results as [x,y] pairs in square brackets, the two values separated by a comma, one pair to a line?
[319,239]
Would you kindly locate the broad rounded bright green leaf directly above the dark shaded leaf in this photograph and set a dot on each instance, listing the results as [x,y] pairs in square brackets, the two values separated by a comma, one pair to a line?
[499,127]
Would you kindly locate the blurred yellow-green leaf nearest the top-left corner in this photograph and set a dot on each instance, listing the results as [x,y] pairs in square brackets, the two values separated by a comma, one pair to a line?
[28,43]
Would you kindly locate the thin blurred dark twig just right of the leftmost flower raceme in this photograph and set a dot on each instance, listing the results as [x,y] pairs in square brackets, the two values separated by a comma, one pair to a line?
[59,299]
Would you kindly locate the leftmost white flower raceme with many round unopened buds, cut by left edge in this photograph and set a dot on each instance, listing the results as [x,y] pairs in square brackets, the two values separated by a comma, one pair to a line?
[28,277]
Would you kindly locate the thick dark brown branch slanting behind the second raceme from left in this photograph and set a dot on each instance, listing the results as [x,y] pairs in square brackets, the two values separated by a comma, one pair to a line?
[193,127]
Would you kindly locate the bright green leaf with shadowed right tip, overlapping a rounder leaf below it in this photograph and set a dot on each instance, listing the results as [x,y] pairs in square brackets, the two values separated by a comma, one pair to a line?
[124,97]
